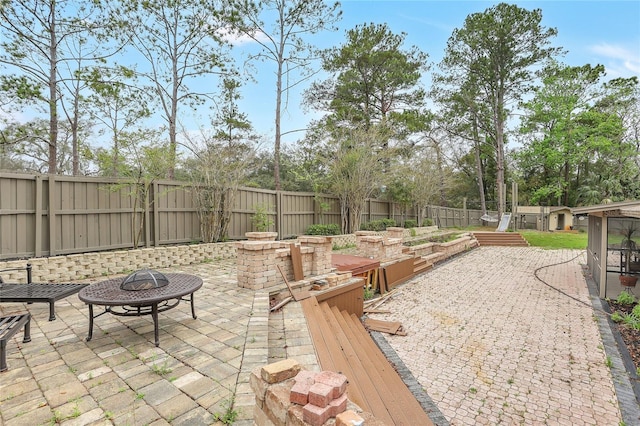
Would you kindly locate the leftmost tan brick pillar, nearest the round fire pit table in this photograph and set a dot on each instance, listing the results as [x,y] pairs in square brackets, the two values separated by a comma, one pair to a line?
[256,262]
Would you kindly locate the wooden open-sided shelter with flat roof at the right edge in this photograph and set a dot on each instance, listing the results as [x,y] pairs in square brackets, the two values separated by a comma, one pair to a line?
[613,248]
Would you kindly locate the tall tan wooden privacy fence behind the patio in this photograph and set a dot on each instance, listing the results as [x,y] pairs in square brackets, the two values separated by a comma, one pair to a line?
[47,215]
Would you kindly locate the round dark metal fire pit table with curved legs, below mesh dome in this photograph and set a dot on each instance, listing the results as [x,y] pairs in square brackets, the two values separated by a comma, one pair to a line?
[140,302]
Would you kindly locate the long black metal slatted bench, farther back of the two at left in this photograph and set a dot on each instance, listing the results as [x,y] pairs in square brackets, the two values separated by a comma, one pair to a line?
[33,292]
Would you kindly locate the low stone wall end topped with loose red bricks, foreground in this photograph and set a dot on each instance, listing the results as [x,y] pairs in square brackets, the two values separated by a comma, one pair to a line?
[287,395]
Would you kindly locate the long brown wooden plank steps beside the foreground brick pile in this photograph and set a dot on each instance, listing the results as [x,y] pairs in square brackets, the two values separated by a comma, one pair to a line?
[344,345]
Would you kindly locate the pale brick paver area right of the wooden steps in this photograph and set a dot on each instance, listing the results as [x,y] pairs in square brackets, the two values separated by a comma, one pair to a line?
[490,344]
